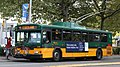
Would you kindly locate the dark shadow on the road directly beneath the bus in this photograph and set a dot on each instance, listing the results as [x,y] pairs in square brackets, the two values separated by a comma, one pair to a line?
[50,60]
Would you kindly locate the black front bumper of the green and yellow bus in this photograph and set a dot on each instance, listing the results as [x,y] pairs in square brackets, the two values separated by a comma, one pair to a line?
[28,56]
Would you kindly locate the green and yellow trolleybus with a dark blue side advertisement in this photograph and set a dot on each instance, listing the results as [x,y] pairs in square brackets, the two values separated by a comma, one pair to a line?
[61,40]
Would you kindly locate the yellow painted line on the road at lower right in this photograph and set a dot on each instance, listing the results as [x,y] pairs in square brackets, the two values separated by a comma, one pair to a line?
[89,64]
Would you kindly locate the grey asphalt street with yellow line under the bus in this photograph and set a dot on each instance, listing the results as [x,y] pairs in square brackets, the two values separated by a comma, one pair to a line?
[111,61]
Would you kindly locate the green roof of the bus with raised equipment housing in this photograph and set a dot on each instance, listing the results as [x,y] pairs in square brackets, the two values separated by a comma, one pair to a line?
[65,25]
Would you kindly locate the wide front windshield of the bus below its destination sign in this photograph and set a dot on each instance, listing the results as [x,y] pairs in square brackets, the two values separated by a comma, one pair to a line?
[30,37]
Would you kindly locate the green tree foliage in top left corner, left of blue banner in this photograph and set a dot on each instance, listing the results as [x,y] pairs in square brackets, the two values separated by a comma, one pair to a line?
[11,8]
